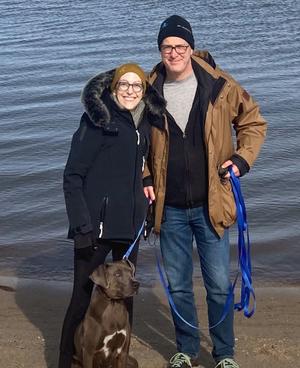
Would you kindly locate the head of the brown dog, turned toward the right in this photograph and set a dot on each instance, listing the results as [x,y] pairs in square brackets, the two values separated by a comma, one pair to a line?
[116,279]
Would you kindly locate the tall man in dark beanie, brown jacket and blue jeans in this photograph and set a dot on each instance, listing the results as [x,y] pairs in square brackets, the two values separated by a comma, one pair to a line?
[192,200]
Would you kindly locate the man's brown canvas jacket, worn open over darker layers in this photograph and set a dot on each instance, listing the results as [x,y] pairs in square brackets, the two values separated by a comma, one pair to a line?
[231,108]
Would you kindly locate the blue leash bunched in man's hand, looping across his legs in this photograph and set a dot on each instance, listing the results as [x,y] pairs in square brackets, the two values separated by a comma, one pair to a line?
[244,263]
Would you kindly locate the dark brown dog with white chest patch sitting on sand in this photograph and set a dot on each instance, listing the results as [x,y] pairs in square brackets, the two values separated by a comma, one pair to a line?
[102,339]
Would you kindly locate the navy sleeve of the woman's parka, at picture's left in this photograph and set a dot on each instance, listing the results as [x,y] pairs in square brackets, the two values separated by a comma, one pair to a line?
[85,145]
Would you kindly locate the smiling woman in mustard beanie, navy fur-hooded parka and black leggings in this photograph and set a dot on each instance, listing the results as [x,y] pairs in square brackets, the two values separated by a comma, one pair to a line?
[103,184]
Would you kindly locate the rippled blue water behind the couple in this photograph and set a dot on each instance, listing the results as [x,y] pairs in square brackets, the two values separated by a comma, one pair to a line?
[49,49]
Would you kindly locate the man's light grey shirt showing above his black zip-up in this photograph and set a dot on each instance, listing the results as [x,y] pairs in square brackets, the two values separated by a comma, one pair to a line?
[180,96]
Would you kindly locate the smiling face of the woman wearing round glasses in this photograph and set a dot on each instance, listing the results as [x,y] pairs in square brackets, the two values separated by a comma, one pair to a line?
[129,90]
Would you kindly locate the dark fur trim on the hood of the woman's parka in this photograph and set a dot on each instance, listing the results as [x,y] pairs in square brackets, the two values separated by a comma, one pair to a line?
[97,110]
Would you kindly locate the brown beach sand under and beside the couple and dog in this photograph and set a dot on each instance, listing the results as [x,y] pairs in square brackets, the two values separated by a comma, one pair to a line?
[31,315]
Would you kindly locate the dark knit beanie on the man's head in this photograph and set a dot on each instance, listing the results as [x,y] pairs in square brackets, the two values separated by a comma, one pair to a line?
[176,26]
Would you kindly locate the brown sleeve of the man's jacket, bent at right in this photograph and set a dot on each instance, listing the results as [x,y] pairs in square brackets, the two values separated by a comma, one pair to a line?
[248,123]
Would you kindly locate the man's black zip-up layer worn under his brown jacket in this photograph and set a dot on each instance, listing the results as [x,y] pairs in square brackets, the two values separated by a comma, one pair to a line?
[186,185]
